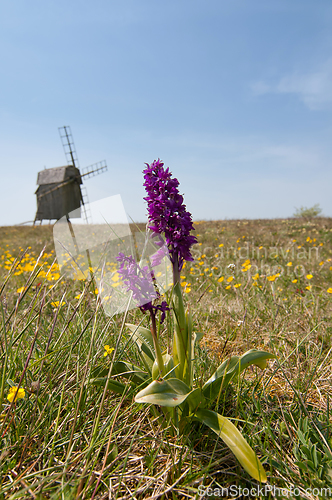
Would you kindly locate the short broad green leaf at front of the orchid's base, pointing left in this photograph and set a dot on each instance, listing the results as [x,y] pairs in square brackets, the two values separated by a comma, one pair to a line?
[171,392]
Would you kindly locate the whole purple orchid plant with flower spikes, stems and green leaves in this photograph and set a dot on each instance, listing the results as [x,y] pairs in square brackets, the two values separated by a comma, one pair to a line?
[168,378]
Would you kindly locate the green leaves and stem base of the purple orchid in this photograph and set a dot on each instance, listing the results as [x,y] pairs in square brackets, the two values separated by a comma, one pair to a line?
[173,376]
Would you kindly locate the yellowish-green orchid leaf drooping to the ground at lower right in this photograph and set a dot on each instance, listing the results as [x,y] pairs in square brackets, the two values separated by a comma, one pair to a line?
[235,441]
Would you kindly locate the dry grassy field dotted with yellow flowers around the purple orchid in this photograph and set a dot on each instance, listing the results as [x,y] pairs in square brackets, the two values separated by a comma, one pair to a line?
[68,438]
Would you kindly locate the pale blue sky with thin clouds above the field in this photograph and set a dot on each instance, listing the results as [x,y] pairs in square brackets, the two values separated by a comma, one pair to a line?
[234,96]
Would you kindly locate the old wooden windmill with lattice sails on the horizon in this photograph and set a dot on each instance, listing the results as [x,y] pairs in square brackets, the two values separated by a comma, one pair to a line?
[60,189]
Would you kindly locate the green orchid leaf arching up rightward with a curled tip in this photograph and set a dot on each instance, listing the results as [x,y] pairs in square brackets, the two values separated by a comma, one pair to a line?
[233,367]
